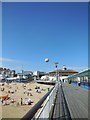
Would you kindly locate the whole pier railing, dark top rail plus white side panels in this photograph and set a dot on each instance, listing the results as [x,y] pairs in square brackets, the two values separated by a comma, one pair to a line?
[45,110]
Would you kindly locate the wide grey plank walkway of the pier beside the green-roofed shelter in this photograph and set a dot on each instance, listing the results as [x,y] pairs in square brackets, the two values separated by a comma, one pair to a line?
[77,100]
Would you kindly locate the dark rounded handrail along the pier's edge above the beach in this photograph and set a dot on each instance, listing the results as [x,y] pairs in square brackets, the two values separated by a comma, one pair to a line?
[35,108]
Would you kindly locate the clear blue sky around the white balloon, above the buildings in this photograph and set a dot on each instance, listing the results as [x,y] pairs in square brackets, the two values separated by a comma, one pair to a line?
[34,31]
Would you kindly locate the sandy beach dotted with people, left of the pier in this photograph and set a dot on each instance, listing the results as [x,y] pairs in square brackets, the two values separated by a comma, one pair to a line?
[16,105]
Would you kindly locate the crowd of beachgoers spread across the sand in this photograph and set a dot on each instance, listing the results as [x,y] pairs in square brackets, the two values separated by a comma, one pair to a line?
[10,91]
